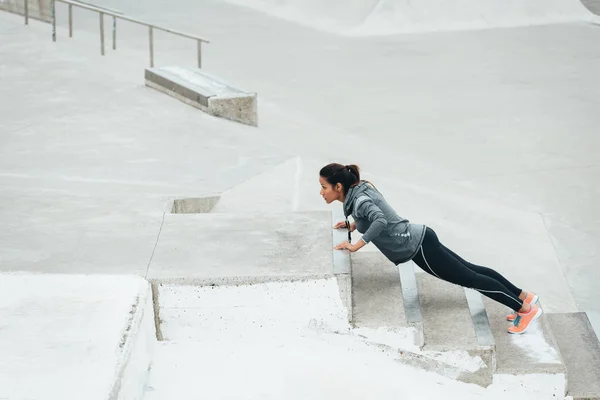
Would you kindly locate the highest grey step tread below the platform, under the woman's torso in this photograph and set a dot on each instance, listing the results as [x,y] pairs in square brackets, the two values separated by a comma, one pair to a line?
[377,292]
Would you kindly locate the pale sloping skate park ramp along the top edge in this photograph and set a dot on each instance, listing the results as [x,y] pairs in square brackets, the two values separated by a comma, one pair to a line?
[385,17]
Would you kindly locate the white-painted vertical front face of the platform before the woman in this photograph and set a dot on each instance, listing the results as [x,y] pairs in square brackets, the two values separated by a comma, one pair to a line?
[235,312]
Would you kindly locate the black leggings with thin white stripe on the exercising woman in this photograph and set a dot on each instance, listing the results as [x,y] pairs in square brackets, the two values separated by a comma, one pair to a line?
[436,259]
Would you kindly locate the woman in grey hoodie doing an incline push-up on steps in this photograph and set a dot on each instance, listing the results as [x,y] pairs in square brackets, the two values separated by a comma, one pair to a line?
[401,241]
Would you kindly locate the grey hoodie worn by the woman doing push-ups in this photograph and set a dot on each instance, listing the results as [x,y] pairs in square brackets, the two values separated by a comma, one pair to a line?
[395,237]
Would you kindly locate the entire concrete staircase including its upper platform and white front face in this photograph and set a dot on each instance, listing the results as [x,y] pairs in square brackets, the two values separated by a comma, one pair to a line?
[435,326]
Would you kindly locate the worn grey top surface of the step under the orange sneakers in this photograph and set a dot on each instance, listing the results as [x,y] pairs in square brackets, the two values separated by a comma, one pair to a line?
[531,353]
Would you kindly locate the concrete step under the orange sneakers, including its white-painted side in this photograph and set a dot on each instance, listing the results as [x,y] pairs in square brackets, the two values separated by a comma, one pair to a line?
[524,357]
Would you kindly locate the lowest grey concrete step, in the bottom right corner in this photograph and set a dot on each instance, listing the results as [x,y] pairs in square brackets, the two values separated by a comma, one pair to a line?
[580,351]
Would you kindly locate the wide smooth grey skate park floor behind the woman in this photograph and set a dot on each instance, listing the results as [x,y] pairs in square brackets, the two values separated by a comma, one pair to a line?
[496,151]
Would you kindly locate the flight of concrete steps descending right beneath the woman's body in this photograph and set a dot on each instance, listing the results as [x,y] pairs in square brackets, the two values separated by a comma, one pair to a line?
[457,321]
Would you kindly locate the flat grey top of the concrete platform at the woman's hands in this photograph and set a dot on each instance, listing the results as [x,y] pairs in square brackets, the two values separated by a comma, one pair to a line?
[212,248]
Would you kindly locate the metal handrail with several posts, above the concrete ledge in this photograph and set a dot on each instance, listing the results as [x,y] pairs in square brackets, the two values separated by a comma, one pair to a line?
[114,14]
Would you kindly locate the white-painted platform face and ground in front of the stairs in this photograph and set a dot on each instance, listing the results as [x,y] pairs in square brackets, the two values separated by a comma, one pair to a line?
[291,340]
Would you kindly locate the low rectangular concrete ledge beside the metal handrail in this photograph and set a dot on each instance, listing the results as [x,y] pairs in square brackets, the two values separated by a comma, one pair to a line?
[203,91]
